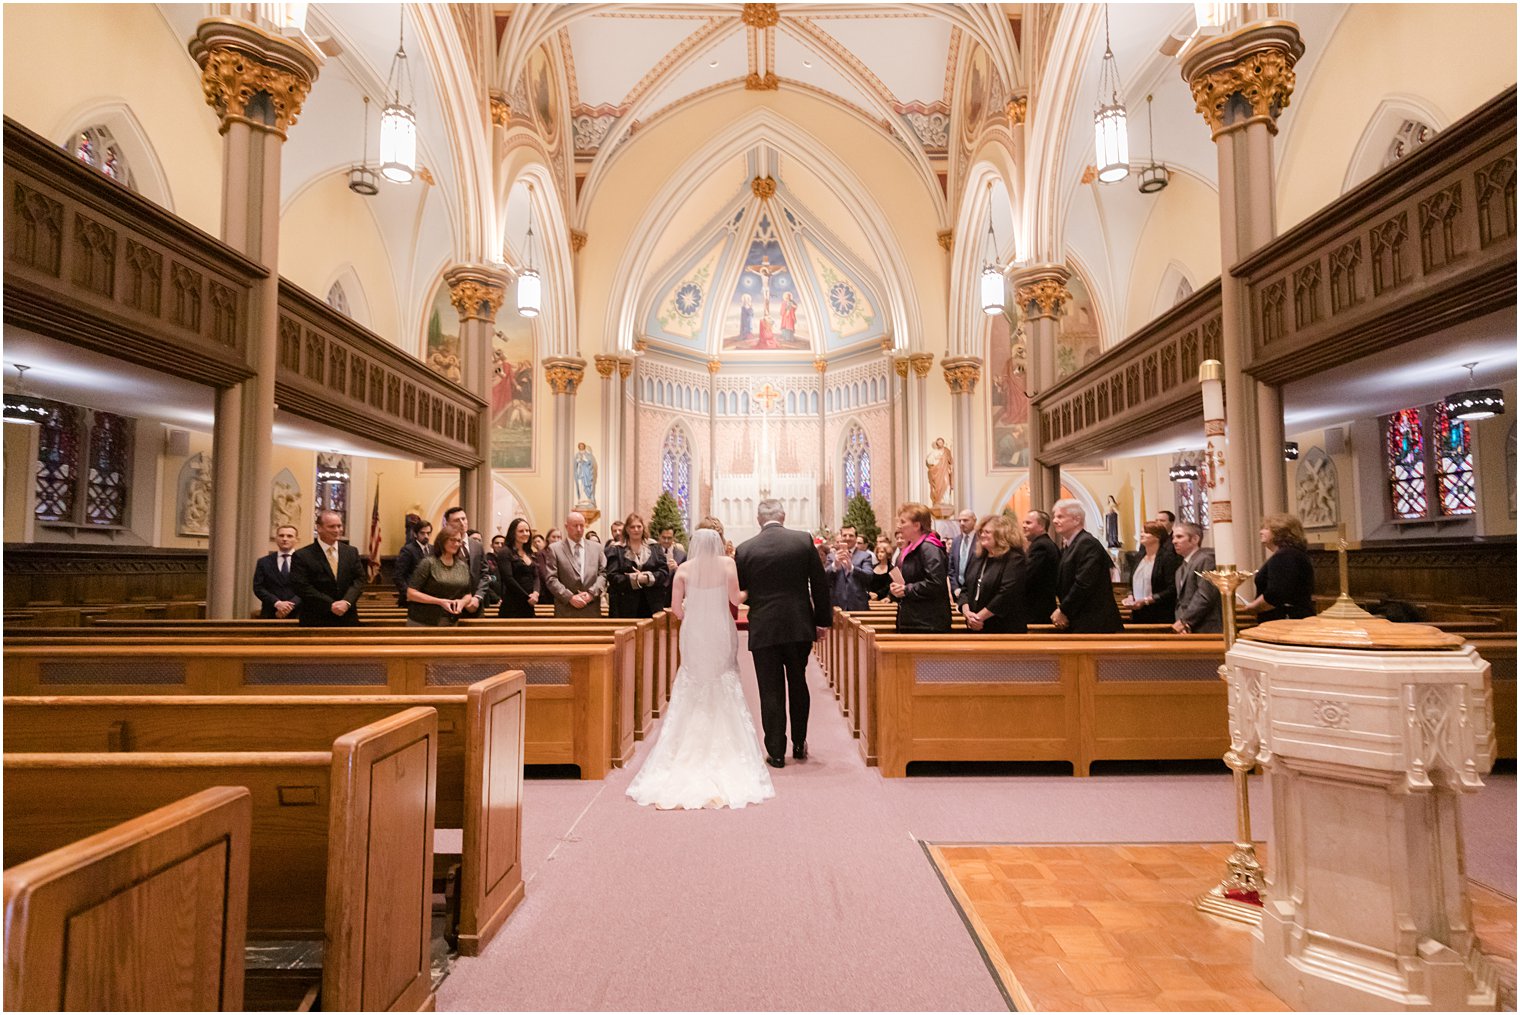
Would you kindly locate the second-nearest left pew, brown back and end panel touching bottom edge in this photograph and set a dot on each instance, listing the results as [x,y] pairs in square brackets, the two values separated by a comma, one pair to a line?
[343,841]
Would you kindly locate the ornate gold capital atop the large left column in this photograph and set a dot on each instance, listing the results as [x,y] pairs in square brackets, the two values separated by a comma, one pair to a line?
[241,62]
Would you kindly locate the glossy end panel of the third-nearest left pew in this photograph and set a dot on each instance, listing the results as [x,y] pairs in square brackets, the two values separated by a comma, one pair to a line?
[493,827]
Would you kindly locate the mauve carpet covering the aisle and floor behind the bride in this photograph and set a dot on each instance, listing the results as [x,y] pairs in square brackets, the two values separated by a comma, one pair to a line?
[822,899]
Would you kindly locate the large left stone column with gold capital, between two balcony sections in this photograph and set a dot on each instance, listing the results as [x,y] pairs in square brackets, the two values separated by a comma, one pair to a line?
[256,81]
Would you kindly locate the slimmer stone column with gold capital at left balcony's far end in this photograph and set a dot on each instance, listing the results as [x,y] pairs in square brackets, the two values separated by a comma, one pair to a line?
[477,292]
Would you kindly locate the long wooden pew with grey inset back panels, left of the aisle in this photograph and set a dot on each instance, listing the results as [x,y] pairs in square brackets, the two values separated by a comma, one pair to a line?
[577,689]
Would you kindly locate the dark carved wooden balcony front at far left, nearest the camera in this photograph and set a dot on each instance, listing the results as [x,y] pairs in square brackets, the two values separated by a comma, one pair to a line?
[90,264]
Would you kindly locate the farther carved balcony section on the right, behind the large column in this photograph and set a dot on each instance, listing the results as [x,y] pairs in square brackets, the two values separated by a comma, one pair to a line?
[1141,387]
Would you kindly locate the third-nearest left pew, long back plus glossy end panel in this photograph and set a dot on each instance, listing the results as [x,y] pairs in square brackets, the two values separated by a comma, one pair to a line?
[480,760]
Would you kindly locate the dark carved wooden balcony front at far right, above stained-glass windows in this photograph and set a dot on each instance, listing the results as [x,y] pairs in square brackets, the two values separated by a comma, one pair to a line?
[1422,247]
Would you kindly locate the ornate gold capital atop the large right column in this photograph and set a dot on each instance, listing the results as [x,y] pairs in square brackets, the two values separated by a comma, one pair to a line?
[1253,65]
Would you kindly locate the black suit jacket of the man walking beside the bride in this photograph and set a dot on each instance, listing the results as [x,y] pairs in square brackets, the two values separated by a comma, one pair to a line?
[788,592]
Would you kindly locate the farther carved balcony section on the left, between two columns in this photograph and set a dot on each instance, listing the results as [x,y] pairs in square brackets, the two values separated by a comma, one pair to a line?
[340,373]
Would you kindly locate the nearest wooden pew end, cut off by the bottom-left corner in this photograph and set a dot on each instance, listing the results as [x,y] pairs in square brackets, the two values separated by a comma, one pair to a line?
[150,915]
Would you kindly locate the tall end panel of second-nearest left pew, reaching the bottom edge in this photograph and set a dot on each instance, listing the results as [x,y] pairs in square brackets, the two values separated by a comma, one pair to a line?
[381,867]
